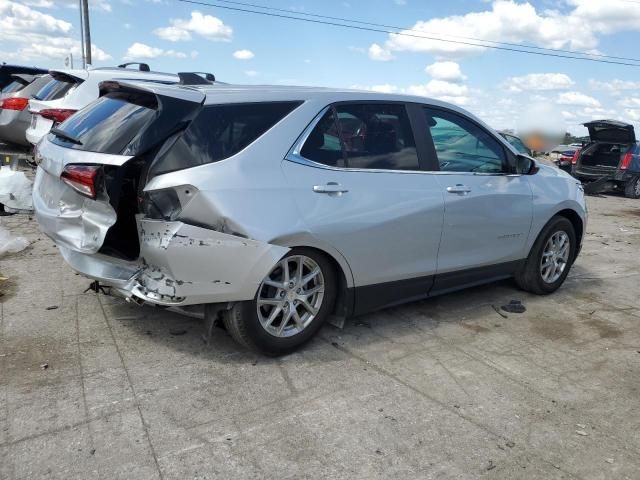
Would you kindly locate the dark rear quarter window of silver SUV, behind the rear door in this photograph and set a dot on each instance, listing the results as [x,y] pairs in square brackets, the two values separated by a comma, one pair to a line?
[219,132]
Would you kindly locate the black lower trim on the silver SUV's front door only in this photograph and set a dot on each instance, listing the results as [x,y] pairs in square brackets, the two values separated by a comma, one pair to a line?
[451,281]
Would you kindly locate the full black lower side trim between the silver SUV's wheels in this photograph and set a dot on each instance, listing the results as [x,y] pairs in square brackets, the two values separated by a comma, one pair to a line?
[369,298]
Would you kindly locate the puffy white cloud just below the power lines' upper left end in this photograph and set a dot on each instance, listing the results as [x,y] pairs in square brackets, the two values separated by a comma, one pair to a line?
[205,26]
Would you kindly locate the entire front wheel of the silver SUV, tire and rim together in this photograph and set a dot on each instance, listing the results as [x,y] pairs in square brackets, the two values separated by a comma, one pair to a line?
[531,277]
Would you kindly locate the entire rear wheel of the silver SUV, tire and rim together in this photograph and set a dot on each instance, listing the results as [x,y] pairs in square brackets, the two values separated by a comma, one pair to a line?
[248,322]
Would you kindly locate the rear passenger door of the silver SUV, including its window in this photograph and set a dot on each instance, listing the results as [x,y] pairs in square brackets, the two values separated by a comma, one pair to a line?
[359,186]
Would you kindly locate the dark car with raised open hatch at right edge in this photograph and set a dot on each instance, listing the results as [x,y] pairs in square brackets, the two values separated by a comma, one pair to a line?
[611,159]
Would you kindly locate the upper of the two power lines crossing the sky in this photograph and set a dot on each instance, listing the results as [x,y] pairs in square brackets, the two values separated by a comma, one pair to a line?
[407,29]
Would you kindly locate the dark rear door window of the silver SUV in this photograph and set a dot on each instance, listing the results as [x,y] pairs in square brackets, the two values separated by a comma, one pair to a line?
[364,136]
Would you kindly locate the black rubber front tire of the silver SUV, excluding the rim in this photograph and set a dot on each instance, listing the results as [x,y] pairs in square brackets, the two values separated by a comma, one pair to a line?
[529,277]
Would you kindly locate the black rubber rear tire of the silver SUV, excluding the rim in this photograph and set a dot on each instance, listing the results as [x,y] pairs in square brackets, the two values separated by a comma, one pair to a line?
[243,324]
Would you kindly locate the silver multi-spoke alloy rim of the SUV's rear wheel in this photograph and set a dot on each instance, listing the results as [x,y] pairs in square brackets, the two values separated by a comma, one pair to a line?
[291,295]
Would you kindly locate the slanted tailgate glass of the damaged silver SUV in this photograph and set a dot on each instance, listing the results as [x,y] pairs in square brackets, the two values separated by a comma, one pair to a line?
[108,125]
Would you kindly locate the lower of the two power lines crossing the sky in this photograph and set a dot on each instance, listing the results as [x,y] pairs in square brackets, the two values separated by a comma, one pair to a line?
[424,37]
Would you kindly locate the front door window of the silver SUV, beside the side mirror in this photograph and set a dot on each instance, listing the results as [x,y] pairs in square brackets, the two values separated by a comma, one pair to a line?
[462,146]
